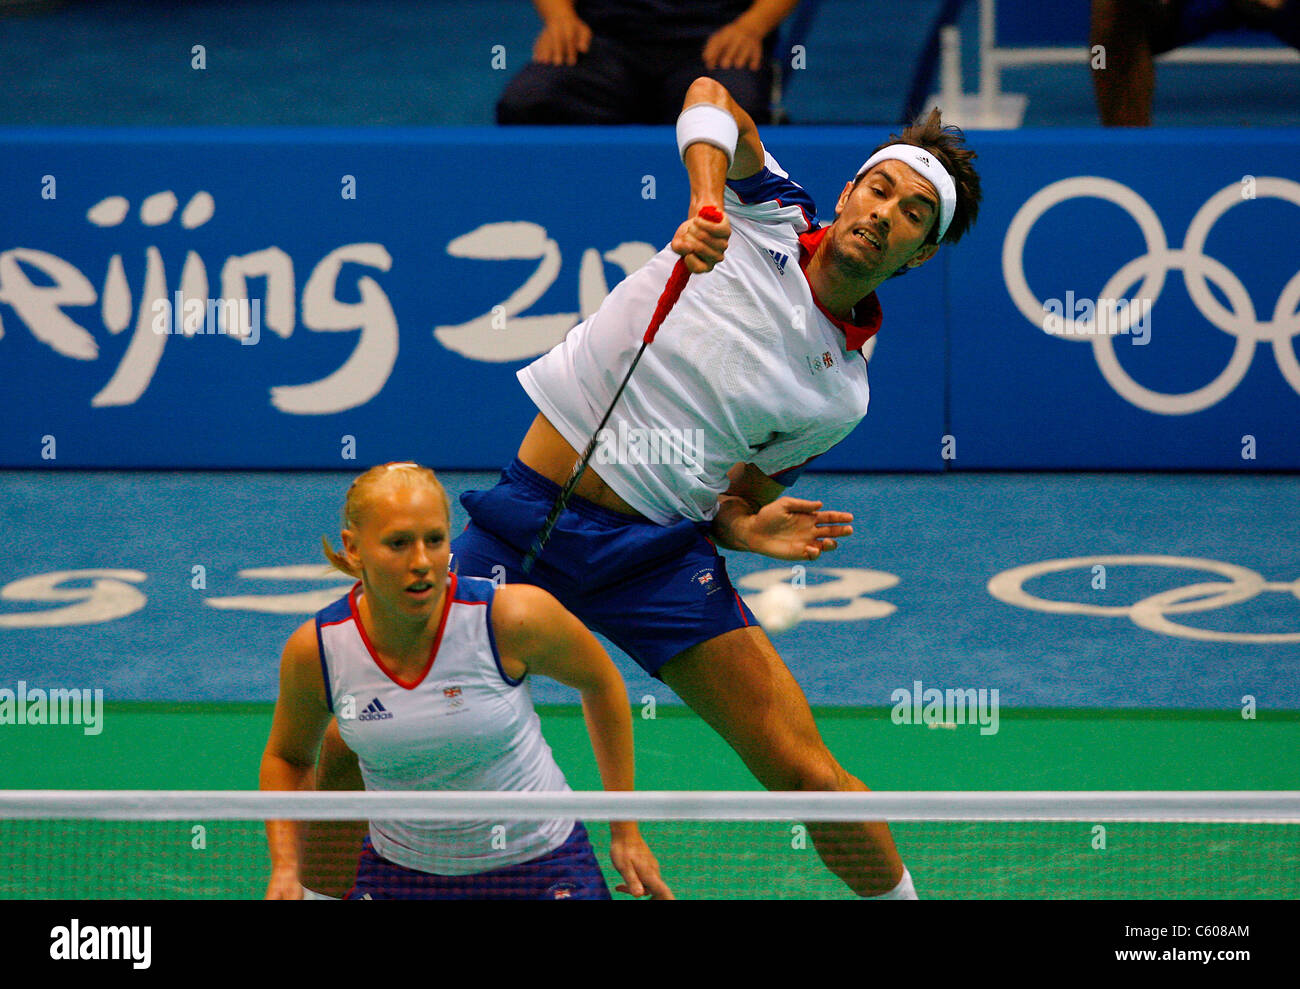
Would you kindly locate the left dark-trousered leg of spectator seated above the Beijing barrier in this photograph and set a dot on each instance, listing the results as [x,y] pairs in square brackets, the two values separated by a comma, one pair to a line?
[601,89]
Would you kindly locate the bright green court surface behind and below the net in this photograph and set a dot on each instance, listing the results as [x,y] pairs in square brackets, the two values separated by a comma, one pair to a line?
[219,747]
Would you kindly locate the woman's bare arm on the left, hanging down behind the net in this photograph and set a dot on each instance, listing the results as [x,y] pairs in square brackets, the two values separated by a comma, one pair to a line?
[291,754]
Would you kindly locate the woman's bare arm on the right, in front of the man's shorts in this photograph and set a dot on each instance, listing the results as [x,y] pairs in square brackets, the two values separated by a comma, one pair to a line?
[538,635]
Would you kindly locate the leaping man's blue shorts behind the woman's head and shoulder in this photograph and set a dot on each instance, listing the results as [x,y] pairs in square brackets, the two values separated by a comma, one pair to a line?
[653,591]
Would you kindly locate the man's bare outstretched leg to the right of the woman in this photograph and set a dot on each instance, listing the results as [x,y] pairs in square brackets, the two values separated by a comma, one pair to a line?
[742,688]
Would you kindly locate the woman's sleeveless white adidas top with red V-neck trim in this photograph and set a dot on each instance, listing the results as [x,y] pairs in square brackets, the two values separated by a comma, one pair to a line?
[462,726]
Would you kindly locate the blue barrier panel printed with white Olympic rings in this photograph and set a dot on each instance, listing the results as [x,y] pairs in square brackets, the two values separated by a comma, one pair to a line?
[1194,237]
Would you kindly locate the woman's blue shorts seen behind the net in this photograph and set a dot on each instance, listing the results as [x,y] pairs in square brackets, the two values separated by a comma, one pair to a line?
[570,873]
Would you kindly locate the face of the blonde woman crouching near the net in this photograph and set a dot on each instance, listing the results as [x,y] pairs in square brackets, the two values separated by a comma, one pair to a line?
[404,549]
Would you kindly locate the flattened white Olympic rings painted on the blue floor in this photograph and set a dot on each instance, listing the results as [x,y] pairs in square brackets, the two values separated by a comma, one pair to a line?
[1152,614]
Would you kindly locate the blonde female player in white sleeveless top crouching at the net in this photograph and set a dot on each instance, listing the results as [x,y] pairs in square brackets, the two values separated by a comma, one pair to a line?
[427,675]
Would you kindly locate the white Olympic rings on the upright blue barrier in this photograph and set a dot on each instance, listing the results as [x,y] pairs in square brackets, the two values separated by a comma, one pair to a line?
[1242,323]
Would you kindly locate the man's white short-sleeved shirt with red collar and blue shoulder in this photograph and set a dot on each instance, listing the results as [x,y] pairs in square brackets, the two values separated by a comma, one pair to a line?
[747,368]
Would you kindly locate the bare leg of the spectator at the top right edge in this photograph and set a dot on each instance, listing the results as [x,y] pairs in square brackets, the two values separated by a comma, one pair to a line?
[1128,84]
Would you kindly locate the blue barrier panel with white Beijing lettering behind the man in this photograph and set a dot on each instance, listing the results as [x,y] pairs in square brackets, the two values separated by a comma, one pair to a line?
[393,283]
